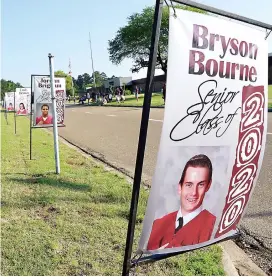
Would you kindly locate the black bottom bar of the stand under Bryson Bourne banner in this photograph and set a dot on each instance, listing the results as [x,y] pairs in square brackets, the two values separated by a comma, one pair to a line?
[158,257]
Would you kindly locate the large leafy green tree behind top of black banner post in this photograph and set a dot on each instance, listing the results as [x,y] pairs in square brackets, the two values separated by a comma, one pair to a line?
[133,40]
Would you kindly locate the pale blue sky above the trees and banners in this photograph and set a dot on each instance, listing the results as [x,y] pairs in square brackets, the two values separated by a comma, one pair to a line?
[31,29]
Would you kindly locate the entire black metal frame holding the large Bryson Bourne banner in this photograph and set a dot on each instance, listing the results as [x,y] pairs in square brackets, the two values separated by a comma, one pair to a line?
[146,110]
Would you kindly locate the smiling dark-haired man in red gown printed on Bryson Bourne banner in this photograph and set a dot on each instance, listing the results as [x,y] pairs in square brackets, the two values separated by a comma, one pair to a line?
[191,224]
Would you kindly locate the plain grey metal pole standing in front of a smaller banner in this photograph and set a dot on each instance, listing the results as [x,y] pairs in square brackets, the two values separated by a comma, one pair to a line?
[55,120]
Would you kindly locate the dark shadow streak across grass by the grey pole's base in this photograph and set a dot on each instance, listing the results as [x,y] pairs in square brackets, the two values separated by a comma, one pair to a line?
[58,183]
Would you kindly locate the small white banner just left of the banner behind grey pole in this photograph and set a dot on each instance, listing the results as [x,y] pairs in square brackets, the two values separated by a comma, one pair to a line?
[22,101]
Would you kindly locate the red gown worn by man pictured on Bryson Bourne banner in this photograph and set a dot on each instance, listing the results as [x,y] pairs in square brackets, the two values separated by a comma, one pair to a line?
[198,230]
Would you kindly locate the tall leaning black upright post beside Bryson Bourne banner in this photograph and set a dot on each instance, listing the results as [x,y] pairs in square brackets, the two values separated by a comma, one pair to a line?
[142,135]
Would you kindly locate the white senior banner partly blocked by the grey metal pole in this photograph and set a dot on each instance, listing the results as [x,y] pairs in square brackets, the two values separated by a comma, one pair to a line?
[43,106]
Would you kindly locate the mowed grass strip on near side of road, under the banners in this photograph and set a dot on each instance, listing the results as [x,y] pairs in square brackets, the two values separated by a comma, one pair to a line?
[74,223]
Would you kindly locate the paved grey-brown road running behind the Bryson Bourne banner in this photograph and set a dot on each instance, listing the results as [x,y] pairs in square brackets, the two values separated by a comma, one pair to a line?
[112,134]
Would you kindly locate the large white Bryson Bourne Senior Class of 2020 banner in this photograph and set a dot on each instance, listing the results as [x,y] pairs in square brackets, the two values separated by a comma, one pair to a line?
[213,134]
